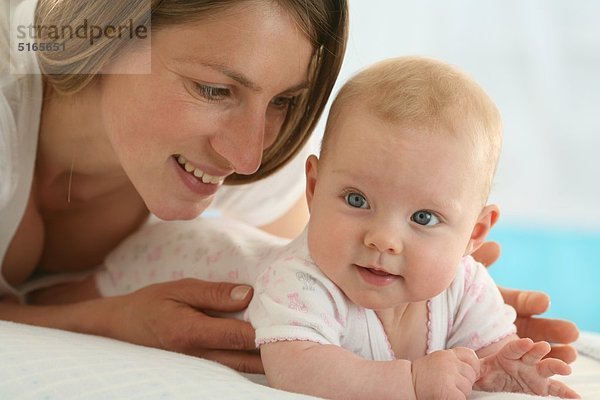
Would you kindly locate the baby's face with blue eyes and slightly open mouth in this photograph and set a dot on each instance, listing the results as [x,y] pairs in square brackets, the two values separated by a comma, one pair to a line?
[392,211]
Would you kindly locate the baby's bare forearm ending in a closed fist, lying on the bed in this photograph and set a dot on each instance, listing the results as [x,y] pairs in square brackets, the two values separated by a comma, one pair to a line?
[332,372]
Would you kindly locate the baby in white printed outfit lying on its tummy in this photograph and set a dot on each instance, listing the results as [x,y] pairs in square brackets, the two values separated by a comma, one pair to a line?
[379,297]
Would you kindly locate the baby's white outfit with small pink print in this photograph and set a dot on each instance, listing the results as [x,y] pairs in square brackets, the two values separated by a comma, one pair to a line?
[293,299]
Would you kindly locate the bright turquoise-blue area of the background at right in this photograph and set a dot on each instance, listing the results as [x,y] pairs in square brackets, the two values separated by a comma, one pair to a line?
[562,264]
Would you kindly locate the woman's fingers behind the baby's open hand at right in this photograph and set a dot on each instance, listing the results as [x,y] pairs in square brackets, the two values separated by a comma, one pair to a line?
[529,304]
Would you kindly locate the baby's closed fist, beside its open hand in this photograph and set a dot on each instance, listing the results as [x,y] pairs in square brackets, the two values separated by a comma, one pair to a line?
[447,374]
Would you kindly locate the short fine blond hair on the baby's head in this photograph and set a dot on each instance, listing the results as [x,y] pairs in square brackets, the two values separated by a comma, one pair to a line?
[428,95]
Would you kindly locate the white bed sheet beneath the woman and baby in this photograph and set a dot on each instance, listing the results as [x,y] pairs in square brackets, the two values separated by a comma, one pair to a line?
[40,363]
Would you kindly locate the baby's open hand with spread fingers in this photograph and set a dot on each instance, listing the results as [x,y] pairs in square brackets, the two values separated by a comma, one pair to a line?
[518,367]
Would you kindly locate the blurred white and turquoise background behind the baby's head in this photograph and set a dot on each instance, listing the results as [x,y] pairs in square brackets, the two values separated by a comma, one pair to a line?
[540,61]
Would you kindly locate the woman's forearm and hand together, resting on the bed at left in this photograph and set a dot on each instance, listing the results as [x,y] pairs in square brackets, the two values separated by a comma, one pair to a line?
[167,316]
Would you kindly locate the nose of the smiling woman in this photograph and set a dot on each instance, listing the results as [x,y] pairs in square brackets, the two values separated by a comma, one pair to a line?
[241,142]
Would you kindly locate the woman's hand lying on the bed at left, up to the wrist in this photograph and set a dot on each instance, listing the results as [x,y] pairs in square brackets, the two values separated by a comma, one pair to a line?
[169,316]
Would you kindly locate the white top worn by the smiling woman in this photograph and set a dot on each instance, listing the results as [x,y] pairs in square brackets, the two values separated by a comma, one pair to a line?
[20,106]
